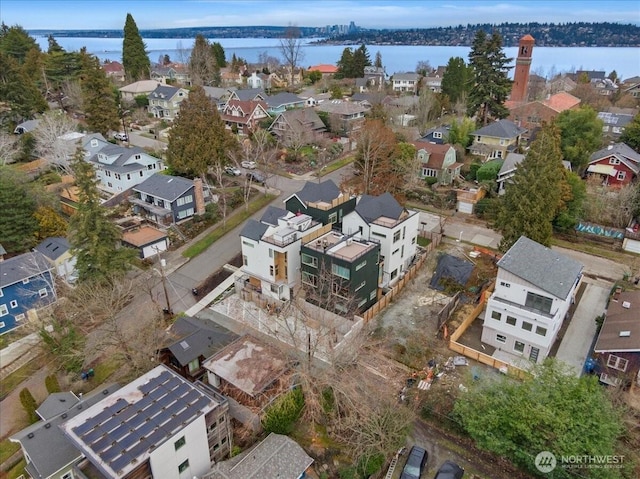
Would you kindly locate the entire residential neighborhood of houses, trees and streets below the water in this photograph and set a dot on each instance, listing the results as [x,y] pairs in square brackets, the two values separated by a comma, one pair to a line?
[219,268]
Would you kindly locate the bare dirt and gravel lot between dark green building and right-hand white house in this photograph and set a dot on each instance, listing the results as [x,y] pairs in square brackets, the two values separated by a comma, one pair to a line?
[408,330]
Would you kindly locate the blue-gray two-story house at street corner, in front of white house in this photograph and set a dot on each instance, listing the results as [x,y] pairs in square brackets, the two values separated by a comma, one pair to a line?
[166,199]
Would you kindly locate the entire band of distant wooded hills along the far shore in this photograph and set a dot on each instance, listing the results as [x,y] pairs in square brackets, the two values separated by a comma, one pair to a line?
[577,34]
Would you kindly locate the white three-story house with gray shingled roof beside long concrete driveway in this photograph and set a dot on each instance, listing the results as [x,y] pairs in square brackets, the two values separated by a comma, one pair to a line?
[534,289]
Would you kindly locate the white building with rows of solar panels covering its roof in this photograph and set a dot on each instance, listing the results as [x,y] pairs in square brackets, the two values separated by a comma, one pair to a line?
[158,426]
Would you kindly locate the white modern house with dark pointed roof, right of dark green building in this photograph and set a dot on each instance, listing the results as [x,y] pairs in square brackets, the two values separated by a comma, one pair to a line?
[384,220]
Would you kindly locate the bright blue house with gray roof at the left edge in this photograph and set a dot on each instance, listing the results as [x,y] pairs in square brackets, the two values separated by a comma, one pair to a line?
[26,284]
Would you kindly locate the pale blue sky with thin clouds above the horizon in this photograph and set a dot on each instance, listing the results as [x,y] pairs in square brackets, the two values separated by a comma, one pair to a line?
[99,14]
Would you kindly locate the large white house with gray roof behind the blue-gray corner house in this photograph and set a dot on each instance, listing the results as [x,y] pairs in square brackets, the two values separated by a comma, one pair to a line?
[119,168]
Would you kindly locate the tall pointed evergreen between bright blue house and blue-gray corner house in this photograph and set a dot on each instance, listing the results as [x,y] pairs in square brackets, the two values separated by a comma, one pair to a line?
[93,238]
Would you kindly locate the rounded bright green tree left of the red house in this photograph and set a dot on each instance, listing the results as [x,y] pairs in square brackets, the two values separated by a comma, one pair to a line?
[581,135]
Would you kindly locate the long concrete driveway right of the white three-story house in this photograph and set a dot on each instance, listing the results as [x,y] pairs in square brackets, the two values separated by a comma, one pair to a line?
[576,344]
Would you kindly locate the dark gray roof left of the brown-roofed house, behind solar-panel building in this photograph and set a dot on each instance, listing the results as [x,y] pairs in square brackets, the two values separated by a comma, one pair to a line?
[197,338]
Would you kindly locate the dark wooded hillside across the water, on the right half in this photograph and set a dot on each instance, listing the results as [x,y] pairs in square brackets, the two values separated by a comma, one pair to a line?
[546,34]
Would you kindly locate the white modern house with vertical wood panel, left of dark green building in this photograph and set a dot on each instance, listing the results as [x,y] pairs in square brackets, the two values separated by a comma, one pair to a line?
[271,250]
